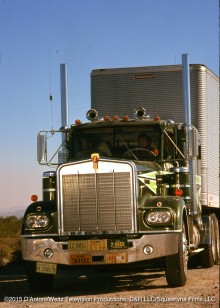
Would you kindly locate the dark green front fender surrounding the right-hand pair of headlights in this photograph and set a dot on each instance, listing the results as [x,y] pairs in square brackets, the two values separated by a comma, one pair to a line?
[175,205]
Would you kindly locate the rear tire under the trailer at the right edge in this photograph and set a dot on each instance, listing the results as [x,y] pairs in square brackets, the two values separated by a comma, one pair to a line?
[210,255]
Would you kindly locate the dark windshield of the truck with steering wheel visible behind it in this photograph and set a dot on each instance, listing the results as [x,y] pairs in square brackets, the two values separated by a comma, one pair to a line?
[136,143]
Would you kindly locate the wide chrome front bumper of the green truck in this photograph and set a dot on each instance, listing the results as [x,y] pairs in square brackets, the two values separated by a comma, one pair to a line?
[149,246]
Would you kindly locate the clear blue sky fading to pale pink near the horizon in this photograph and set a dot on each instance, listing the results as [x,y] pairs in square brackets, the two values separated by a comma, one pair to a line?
[36,36]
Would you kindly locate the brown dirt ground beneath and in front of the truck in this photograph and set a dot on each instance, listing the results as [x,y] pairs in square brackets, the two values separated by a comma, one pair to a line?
[90,289]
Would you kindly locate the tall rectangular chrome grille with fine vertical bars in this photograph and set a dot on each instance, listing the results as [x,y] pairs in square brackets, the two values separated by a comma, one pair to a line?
[97,202]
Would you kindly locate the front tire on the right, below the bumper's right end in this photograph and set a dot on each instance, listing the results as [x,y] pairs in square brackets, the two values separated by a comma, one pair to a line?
[176,265]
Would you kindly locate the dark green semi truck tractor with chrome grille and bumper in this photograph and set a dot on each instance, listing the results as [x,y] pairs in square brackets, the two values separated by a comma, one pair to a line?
[126,191]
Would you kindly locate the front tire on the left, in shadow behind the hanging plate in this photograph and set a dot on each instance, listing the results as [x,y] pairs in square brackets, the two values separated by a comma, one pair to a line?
[38,282]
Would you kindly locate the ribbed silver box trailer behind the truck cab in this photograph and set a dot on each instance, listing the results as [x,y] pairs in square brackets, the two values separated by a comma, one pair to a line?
[159,90]
